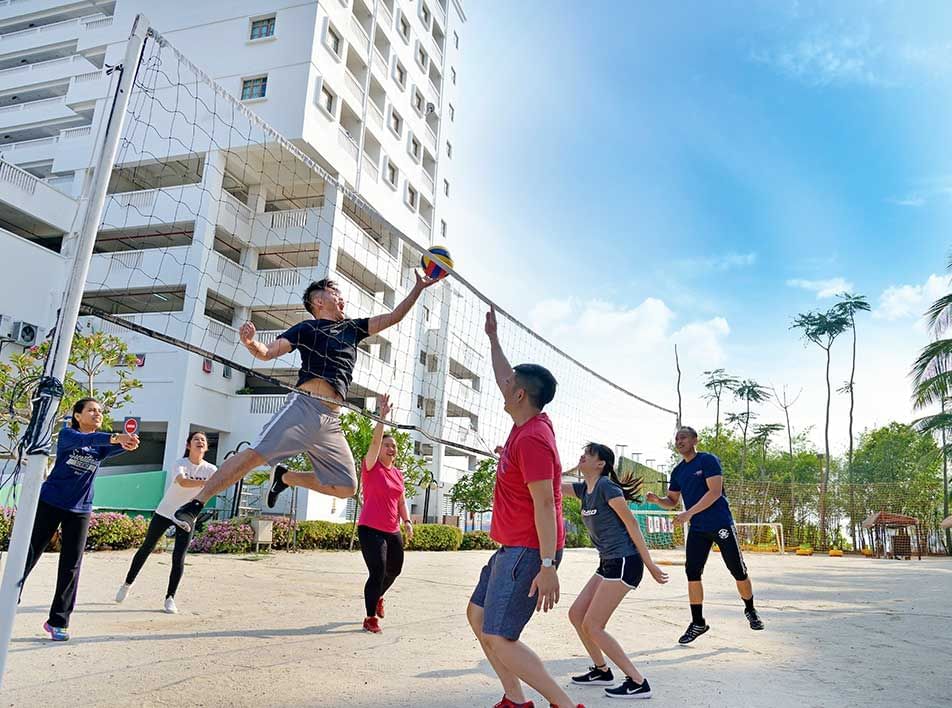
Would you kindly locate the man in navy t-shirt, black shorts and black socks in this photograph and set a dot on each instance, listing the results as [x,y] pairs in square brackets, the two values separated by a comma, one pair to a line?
[699,480]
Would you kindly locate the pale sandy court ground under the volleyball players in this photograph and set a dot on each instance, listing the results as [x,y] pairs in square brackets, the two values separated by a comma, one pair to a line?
[284,630]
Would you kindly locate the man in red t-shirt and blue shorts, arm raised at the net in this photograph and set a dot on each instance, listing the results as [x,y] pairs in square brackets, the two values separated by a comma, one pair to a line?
[521,577]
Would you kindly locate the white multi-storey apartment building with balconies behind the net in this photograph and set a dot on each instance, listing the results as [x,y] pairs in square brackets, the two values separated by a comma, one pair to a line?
[365,88]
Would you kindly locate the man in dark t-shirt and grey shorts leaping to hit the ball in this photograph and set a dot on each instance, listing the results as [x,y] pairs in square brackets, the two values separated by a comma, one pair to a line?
[307,424]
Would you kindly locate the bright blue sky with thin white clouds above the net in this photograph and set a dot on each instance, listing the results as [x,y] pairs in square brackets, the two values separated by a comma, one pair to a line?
[698,173]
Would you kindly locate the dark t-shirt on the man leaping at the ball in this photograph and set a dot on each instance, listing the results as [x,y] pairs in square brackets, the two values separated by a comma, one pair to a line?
[328,349]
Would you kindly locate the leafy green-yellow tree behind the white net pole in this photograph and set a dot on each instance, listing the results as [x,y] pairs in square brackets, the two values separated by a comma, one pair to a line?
[92,354]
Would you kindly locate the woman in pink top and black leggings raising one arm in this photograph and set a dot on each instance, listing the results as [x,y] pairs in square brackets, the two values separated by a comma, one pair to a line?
[378,527]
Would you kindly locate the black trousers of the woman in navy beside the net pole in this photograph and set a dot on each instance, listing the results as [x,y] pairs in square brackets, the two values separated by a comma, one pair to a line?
[74,526]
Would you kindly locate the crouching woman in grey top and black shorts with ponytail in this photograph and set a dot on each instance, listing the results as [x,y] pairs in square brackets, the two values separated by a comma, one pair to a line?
[623,556]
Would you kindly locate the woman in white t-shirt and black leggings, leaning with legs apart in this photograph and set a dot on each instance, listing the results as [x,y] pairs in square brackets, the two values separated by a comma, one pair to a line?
[190,474]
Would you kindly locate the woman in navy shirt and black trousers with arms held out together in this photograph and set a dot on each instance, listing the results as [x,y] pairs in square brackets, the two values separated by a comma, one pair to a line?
[66,503]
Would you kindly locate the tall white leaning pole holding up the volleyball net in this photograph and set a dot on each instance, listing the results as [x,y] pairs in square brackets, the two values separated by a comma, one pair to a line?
[50,391]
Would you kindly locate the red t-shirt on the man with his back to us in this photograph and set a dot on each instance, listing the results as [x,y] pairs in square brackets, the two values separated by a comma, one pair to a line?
[529,455]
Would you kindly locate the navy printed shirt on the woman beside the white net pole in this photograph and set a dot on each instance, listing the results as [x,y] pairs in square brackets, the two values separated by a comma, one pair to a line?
[78,455]
